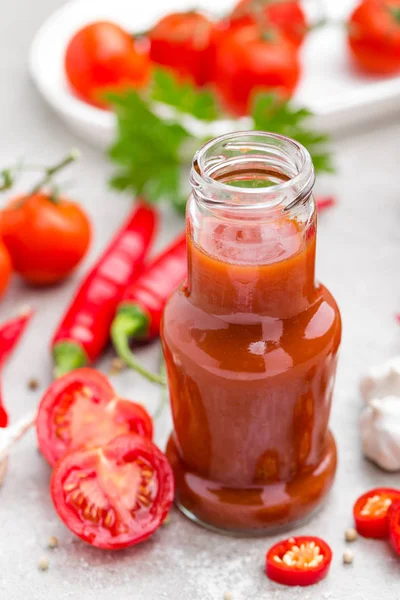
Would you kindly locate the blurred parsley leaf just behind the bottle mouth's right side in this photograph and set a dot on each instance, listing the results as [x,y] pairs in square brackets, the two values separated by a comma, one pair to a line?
[271,114]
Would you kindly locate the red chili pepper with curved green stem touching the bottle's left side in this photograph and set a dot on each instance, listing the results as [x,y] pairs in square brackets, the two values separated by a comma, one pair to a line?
[139,313]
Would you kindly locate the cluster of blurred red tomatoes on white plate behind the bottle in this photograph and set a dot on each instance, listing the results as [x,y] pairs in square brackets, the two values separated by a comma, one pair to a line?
[238,55]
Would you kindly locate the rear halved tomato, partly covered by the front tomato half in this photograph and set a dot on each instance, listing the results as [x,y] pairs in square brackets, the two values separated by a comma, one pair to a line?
[81,409]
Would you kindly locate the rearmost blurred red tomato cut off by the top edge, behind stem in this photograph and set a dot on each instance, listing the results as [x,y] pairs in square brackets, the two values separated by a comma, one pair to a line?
[288,17]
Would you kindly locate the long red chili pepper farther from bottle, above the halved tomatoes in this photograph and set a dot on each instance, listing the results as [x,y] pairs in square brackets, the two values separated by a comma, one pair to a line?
[84,330]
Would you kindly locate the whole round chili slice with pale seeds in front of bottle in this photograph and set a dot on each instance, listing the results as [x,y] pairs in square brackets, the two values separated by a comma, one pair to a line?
[299,561]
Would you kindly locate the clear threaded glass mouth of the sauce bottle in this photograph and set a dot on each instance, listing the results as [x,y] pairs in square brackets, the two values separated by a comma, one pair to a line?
[252,169]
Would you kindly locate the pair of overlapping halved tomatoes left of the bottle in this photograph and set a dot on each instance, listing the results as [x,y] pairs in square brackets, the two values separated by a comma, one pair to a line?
[111,485]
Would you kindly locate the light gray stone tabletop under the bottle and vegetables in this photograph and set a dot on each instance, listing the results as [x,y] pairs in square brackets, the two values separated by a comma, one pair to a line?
[359,251]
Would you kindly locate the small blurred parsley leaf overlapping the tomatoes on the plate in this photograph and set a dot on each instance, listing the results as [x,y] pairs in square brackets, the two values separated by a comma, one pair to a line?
[183,96]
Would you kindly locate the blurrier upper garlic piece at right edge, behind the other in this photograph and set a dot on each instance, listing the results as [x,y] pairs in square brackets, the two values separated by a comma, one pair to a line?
[382,381]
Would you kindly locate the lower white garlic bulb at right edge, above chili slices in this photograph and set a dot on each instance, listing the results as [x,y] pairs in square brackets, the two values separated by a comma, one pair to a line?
[380,432]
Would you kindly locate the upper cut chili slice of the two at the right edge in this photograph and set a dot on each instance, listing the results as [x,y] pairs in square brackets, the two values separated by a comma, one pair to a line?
[371,512]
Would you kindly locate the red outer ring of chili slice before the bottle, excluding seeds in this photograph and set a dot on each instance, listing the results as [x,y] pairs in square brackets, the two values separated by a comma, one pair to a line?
[294,575]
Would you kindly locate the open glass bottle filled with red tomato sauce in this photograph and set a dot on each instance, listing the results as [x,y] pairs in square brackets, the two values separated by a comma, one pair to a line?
[250,342]
